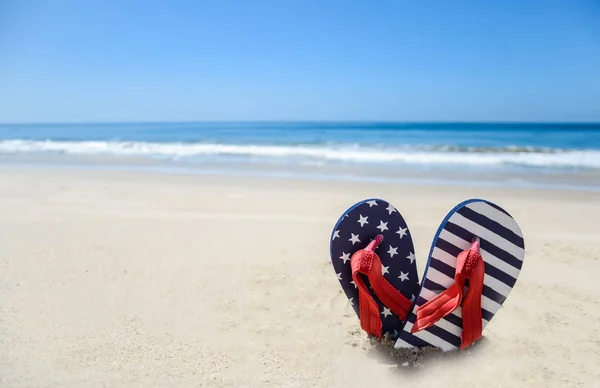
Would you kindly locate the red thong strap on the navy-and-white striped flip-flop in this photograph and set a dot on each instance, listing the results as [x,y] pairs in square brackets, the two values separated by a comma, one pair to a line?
[470,266]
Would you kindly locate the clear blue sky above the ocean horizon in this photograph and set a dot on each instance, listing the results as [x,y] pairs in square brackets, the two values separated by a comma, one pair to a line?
[74,61]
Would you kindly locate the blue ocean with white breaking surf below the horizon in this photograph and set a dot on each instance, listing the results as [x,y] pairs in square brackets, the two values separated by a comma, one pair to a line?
[389,148]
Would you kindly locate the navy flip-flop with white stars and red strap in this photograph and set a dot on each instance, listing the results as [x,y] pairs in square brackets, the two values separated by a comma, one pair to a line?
[373,257]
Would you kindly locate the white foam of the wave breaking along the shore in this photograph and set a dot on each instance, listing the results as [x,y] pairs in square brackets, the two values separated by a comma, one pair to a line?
[316,154]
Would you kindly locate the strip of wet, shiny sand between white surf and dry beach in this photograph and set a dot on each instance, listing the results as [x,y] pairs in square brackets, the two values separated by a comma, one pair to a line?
[586,181]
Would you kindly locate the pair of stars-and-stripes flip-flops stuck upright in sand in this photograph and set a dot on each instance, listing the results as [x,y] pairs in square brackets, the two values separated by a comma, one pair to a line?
[473,264]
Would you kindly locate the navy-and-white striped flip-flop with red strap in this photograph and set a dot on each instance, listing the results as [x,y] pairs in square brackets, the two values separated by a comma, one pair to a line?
[474,262]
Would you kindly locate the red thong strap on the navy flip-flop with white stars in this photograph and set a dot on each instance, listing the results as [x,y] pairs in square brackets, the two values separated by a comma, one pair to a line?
[366,262]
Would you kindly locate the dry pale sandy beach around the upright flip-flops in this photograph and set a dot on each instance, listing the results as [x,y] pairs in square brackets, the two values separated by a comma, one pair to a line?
[131,279]
